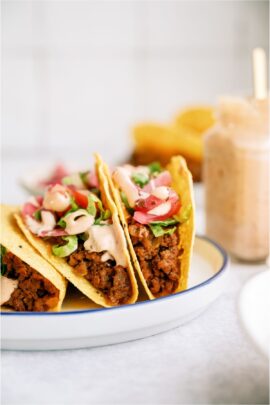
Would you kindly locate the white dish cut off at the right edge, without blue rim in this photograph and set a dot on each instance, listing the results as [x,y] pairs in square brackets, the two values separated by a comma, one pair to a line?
[254,305]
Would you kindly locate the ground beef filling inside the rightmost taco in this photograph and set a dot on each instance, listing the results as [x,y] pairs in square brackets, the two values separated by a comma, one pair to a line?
[158,258]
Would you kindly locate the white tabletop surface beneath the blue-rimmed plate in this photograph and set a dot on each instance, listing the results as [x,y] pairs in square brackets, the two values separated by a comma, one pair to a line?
[207,361]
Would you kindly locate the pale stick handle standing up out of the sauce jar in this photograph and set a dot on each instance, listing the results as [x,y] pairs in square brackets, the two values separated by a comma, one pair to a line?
[259,73]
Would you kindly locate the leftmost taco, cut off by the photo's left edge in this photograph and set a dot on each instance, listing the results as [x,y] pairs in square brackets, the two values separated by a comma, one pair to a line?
[28,282]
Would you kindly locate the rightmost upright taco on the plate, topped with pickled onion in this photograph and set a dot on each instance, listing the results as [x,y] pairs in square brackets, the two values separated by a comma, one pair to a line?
[156,209]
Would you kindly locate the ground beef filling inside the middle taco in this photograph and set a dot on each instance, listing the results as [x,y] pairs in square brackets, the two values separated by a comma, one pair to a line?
[113,281]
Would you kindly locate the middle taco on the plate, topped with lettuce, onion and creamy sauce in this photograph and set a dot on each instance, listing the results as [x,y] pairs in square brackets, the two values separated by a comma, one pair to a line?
[75,227]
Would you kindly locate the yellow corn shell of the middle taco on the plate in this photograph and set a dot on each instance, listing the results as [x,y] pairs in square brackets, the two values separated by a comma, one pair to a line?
[60,264]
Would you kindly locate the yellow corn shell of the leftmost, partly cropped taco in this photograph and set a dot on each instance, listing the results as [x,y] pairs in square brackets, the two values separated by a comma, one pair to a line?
[14,241]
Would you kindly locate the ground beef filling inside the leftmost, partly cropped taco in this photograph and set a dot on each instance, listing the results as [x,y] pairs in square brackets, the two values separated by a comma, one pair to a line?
[34,292]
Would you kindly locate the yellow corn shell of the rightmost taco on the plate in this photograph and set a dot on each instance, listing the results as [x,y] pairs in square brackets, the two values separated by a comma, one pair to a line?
[182,184]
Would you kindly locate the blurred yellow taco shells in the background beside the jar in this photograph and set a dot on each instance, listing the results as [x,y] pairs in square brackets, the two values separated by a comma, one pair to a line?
[183,136]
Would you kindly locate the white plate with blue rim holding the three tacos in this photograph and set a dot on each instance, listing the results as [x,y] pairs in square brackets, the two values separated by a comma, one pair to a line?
[76,328]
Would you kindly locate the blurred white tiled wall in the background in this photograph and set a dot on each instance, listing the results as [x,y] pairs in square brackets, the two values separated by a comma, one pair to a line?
[76,75]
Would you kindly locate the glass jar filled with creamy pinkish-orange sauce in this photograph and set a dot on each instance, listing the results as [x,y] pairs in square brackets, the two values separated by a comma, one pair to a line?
[236,177]
